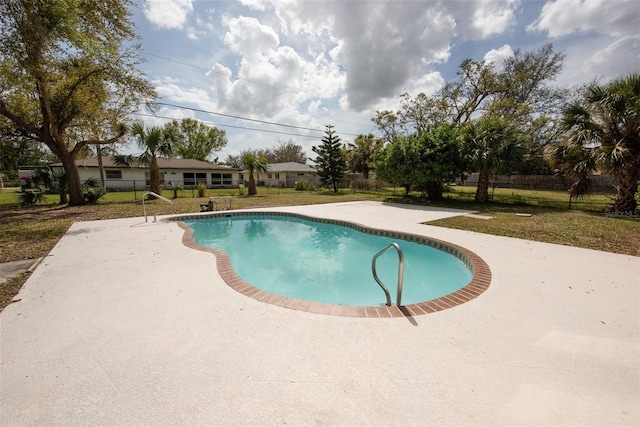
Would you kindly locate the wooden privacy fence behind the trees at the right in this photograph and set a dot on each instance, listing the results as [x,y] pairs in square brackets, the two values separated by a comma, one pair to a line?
[599,183]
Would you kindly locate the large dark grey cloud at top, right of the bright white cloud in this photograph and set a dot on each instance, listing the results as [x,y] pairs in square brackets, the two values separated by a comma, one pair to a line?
[379,46]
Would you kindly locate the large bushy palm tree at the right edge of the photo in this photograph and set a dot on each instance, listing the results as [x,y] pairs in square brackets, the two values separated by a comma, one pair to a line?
[605,128]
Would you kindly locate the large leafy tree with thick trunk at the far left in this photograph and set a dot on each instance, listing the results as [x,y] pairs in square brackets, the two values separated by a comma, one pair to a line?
[68,75]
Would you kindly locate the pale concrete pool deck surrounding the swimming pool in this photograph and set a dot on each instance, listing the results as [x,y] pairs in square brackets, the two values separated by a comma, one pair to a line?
[123,325]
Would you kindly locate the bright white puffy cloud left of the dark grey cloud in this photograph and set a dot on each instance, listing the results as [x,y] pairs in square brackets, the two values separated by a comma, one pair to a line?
[272,80]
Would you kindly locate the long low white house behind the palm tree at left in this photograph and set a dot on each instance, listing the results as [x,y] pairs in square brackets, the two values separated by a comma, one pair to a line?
[185,172]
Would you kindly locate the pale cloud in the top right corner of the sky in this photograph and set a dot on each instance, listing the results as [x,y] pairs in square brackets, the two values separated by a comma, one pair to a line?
[609,17]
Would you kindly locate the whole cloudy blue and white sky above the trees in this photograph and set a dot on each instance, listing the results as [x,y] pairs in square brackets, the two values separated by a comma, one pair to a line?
[279,70]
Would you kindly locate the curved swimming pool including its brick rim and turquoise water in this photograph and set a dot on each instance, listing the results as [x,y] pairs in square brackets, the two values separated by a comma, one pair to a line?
[285,258]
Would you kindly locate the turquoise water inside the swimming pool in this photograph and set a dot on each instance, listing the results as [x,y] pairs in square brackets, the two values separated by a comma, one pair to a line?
[327,263]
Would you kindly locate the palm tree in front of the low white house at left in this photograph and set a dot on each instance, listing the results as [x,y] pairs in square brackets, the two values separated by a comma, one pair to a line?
[156,142]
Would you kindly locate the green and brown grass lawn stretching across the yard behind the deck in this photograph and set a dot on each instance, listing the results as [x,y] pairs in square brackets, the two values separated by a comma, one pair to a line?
[31,232]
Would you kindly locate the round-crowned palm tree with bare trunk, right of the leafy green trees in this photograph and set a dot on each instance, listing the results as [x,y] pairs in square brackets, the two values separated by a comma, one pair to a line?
[493,146]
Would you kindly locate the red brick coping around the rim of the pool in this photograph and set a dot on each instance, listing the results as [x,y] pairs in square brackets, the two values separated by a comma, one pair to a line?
[479,282]
